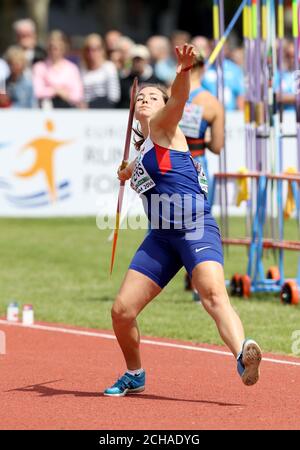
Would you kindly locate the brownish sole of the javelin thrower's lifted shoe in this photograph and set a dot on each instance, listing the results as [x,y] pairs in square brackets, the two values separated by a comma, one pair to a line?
[251,359]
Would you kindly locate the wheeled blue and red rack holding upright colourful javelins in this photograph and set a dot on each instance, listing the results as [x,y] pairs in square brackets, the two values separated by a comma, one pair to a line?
[263,28]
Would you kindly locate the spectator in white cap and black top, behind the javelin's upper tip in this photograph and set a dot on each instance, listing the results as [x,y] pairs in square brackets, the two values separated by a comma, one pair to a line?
[141,69]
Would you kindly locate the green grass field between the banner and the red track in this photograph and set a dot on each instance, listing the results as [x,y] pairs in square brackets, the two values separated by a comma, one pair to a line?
[61,266]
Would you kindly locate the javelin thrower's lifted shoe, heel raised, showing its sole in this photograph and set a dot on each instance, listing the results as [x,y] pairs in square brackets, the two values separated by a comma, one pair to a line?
[248,362]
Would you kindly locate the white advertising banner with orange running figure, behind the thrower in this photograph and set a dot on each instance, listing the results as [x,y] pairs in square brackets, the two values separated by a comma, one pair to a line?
[64,163]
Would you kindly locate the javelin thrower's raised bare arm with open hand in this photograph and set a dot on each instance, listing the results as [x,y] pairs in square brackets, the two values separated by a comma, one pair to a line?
[167,118]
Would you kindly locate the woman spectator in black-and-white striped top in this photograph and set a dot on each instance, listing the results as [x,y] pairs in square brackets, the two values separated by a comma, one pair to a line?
[100,76]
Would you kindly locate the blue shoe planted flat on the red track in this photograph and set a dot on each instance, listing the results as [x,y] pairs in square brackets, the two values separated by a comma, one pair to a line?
[127,384]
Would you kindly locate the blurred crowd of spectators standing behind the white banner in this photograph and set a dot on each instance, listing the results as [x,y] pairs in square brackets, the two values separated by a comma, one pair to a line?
[99,73]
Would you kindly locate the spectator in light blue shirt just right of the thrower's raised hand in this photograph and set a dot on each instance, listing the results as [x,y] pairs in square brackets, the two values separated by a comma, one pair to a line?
[234,89]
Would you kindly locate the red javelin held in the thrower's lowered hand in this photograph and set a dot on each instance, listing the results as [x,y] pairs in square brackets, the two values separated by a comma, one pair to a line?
[123,166]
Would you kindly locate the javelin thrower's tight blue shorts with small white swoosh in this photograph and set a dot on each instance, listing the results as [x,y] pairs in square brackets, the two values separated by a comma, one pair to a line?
[163,253]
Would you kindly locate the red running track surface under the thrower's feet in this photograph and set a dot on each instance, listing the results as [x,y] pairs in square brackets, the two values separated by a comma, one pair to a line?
[51,379]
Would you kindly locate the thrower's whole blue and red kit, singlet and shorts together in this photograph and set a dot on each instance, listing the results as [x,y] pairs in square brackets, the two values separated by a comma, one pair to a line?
[173,188]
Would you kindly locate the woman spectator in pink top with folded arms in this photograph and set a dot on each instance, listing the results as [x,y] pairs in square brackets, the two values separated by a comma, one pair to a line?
[57,80]
